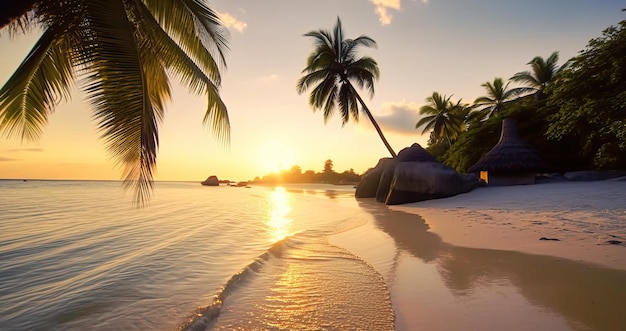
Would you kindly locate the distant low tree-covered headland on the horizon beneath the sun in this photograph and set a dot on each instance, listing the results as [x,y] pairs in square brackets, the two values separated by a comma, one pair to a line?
[295,175]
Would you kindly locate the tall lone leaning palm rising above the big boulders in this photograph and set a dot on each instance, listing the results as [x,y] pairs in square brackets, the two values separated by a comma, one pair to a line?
[334,66]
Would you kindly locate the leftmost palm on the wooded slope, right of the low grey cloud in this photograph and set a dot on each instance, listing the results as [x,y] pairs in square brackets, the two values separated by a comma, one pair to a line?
[443,117]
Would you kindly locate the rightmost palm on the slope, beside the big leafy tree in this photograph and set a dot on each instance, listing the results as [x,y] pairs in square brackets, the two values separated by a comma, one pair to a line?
[543,72]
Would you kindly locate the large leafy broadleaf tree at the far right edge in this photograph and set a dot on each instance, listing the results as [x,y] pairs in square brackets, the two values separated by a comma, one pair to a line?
[590,99]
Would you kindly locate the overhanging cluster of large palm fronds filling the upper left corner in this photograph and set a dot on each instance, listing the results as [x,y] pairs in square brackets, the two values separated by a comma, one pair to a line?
[122,51]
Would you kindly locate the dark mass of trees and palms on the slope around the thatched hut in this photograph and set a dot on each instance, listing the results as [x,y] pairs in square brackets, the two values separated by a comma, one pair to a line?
[574,115]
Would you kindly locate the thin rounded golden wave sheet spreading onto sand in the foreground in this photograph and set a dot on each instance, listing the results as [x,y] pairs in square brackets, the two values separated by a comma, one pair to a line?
[300,283]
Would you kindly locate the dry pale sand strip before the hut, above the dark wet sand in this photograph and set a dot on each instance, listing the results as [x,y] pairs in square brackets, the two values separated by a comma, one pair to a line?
[579,221]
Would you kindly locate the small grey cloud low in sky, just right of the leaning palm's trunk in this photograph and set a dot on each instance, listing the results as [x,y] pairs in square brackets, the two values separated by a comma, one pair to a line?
[399,117]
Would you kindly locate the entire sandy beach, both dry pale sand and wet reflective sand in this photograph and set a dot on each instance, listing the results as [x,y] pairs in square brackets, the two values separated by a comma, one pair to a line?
[537,257]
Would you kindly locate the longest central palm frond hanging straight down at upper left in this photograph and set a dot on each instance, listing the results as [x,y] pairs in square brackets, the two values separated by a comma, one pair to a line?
[128,122]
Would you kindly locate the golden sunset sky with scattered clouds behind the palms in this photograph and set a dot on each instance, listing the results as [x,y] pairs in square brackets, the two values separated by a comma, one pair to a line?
[423,46]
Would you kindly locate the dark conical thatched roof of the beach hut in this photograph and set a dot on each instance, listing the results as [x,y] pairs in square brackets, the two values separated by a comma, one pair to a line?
[510,154]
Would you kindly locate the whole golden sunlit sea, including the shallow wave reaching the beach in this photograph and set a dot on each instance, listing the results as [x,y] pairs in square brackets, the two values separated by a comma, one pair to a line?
[77,255]
